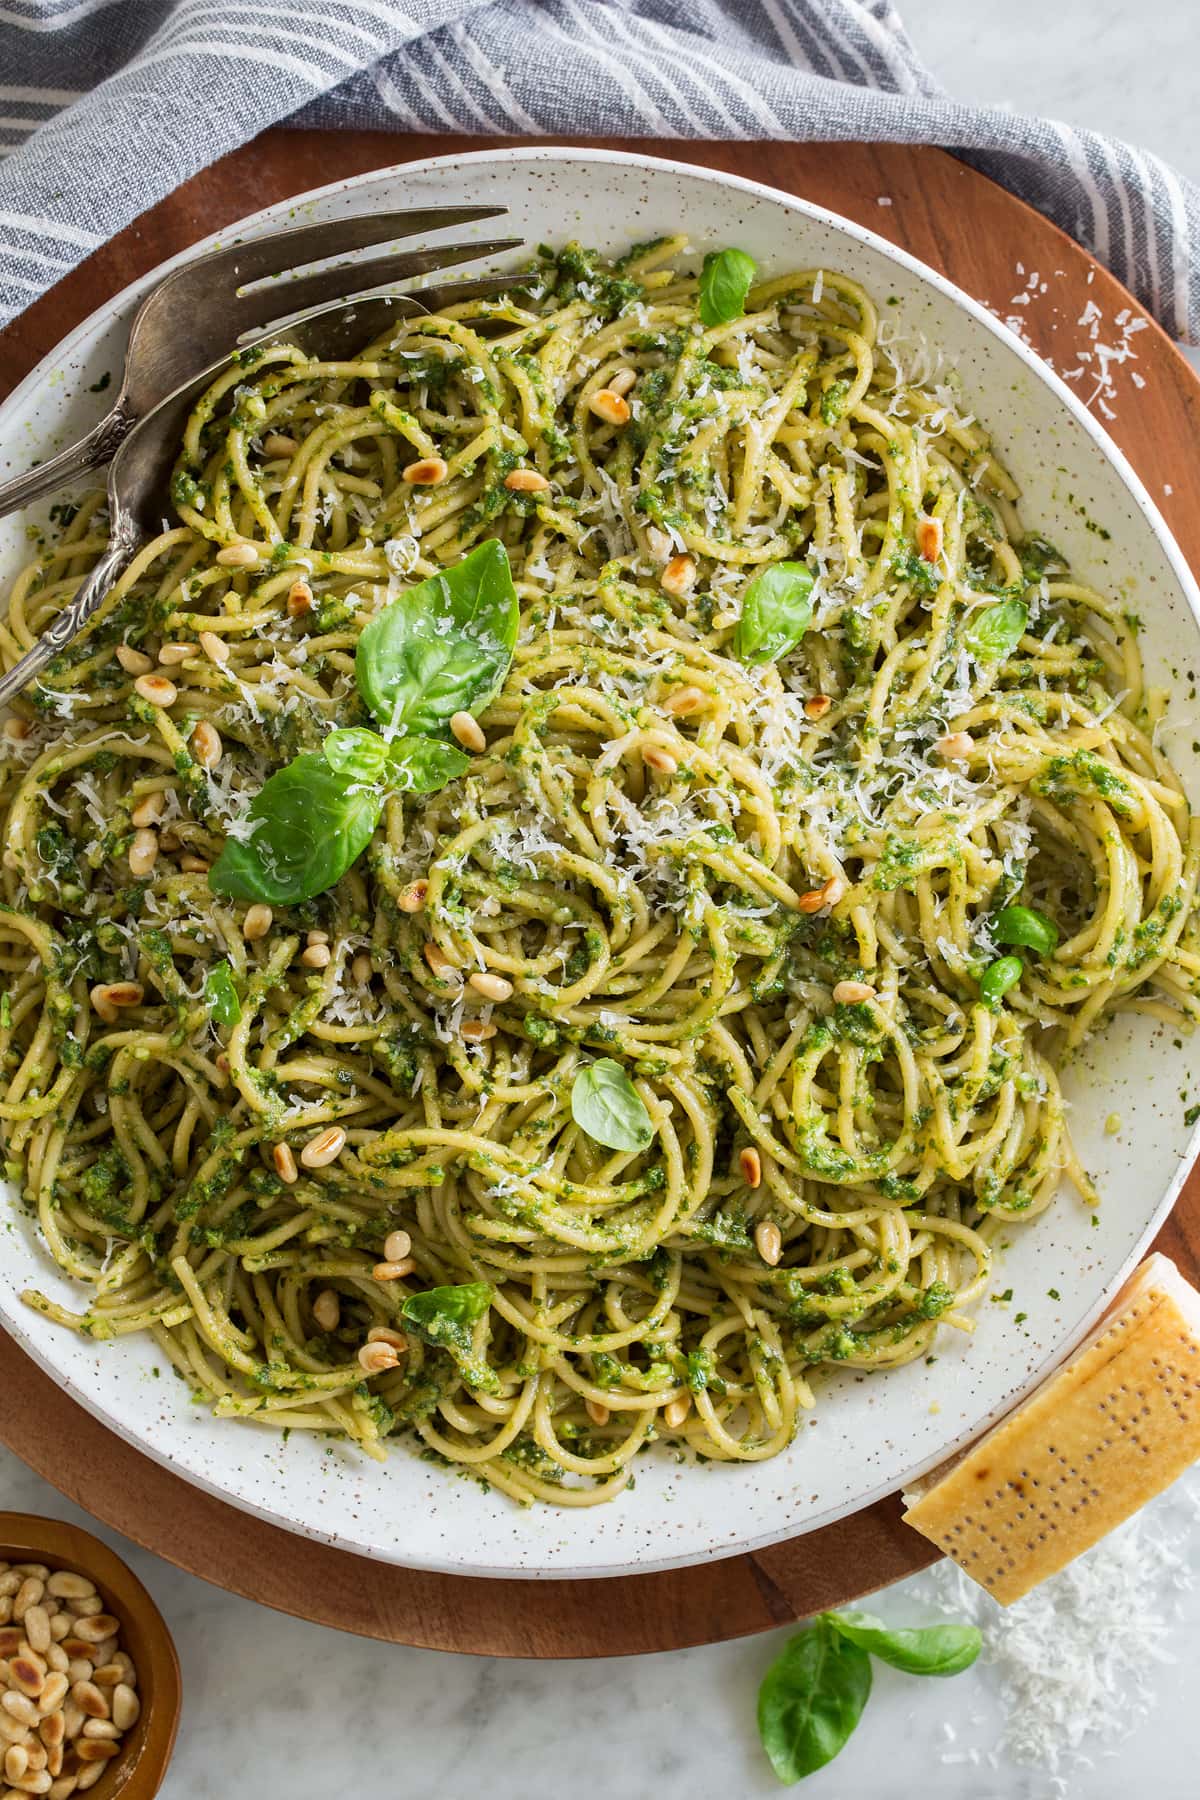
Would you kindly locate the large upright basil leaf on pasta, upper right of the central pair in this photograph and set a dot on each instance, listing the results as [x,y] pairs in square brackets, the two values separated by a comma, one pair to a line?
[443,647]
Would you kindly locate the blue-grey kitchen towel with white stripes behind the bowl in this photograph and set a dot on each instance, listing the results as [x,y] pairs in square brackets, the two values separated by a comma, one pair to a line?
[107,105]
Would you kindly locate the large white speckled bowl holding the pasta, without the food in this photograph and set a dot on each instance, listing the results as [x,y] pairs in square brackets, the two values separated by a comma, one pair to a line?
[868,1435]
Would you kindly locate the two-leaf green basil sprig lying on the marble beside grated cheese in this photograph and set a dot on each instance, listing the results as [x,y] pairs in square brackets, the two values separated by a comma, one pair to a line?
[816,1691]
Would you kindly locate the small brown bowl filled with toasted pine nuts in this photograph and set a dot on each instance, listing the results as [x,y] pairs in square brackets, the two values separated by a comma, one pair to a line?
[91,1727]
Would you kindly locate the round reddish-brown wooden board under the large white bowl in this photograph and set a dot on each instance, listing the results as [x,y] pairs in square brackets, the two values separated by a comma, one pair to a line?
[996,249]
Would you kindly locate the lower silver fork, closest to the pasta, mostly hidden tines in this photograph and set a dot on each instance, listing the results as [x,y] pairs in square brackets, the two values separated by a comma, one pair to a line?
[141,469]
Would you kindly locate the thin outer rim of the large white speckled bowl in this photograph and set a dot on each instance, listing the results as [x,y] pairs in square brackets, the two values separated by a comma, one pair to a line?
[1066,1342]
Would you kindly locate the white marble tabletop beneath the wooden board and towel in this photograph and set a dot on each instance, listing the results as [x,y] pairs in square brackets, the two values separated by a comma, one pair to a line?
[296,1713]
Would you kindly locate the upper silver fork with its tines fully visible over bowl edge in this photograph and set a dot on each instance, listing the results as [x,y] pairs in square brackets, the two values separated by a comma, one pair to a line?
[219,300]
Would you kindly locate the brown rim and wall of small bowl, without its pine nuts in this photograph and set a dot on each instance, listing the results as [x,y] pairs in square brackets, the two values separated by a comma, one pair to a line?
[139,1770]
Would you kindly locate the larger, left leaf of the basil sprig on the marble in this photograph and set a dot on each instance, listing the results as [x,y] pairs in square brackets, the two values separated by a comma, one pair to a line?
[810,1700]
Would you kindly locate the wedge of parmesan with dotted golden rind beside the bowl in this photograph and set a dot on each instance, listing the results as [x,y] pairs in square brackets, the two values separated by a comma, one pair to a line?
[1100,1439]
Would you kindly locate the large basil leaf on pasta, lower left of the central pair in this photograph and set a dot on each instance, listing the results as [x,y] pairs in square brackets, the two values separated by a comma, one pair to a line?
[305,829]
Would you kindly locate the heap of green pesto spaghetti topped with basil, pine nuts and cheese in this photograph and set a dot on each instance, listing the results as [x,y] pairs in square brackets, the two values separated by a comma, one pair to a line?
[548,906]
